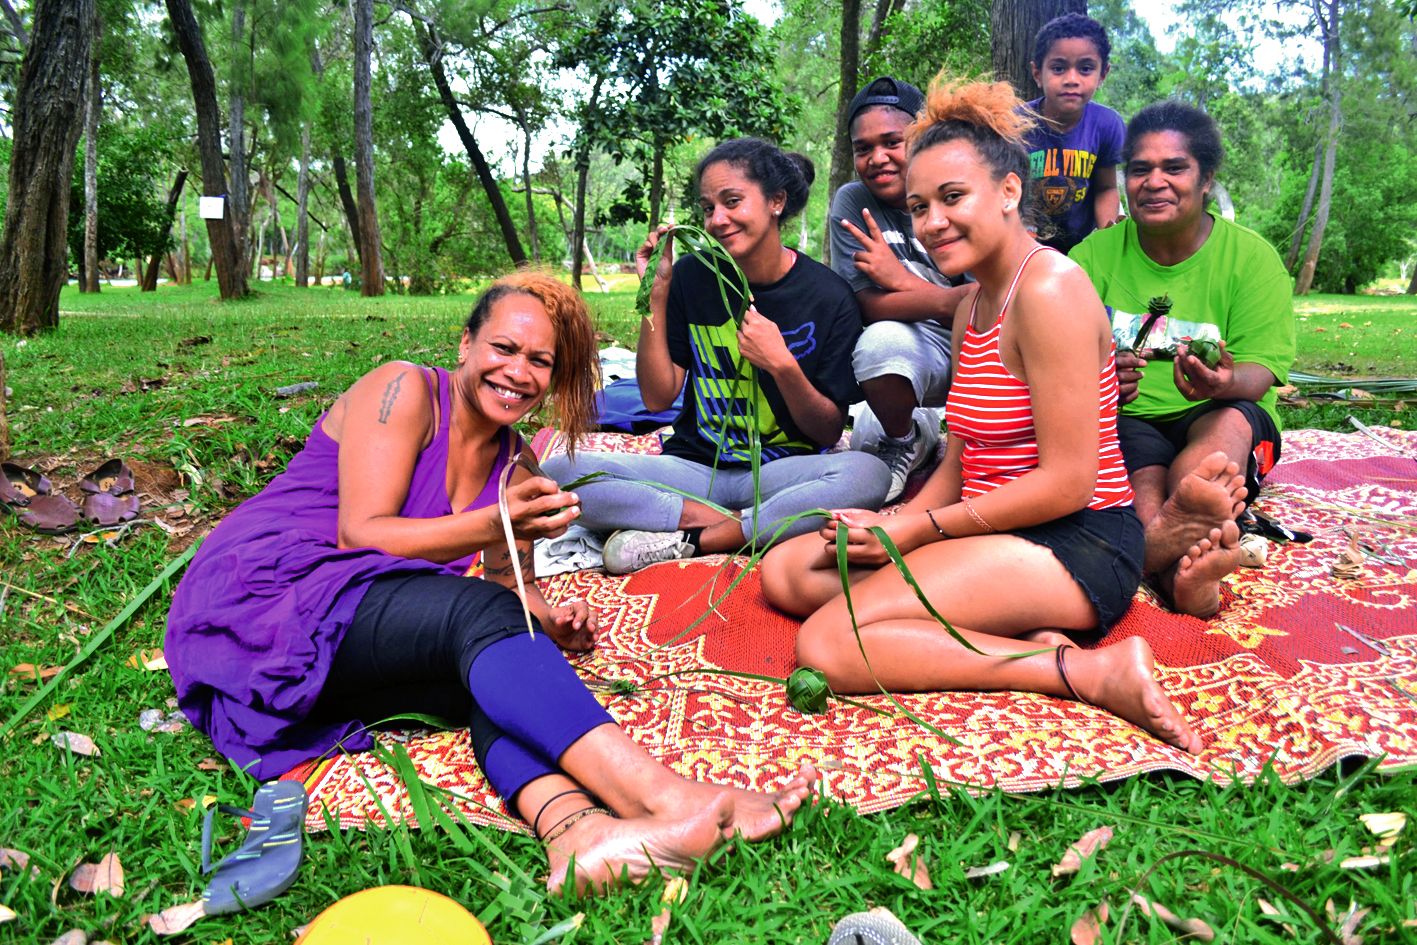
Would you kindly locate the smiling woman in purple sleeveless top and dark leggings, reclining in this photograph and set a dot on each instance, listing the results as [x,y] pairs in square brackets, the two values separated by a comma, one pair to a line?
[338,597]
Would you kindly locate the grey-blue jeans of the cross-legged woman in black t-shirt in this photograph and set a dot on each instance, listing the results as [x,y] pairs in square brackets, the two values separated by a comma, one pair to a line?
[630,497]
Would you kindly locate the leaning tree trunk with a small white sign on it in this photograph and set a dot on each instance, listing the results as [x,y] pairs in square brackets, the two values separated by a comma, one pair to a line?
[232,276]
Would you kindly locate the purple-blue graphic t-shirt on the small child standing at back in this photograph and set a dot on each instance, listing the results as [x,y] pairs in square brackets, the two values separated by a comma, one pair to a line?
[1063,168]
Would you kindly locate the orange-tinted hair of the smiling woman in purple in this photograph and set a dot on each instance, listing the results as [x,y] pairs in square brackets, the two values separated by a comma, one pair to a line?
[577,370]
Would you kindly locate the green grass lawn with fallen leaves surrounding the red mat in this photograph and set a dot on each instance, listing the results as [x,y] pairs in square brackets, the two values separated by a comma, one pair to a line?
[80,396]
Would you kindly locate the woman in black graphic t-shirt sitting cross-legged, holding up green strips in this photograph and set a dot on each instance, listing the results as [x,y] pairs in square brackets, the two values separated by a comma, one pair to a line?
[797,335]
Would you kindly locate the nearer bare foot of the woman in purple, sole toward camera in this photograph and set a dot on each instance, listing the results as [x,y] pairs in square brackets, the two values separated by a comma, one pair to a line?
[609,851]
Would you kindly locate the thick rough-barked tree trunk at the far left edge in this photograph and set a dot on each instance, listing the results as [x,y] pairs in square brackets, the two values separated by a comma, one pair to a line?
[47,117]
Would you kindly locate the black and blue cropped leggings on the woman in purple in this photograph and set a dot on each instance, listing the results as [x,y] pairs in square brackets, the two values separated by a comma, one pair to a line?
[458,648]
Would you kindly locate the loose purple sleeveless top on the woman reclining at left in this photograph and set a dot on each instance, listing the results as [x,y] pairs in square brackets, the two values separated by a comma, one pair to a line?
[263,609]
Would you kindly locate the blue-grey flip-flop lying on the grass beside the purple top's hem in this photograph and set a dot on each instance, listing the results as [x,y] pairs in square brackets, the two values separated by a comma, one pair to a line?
[269,859]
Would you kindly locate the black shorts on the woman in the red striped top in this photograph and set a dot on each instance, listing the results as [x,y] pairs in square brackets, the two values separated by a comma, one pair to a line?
[1103,552]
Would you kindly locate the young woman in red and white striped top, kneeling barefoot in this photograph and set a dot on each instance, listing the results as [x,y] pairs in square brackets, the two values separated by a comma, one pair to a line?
[1025,532]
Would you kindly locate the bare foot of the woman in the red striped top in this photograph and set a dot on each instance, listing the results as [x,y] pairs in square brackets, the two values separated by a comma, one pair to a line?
[1122,679]
